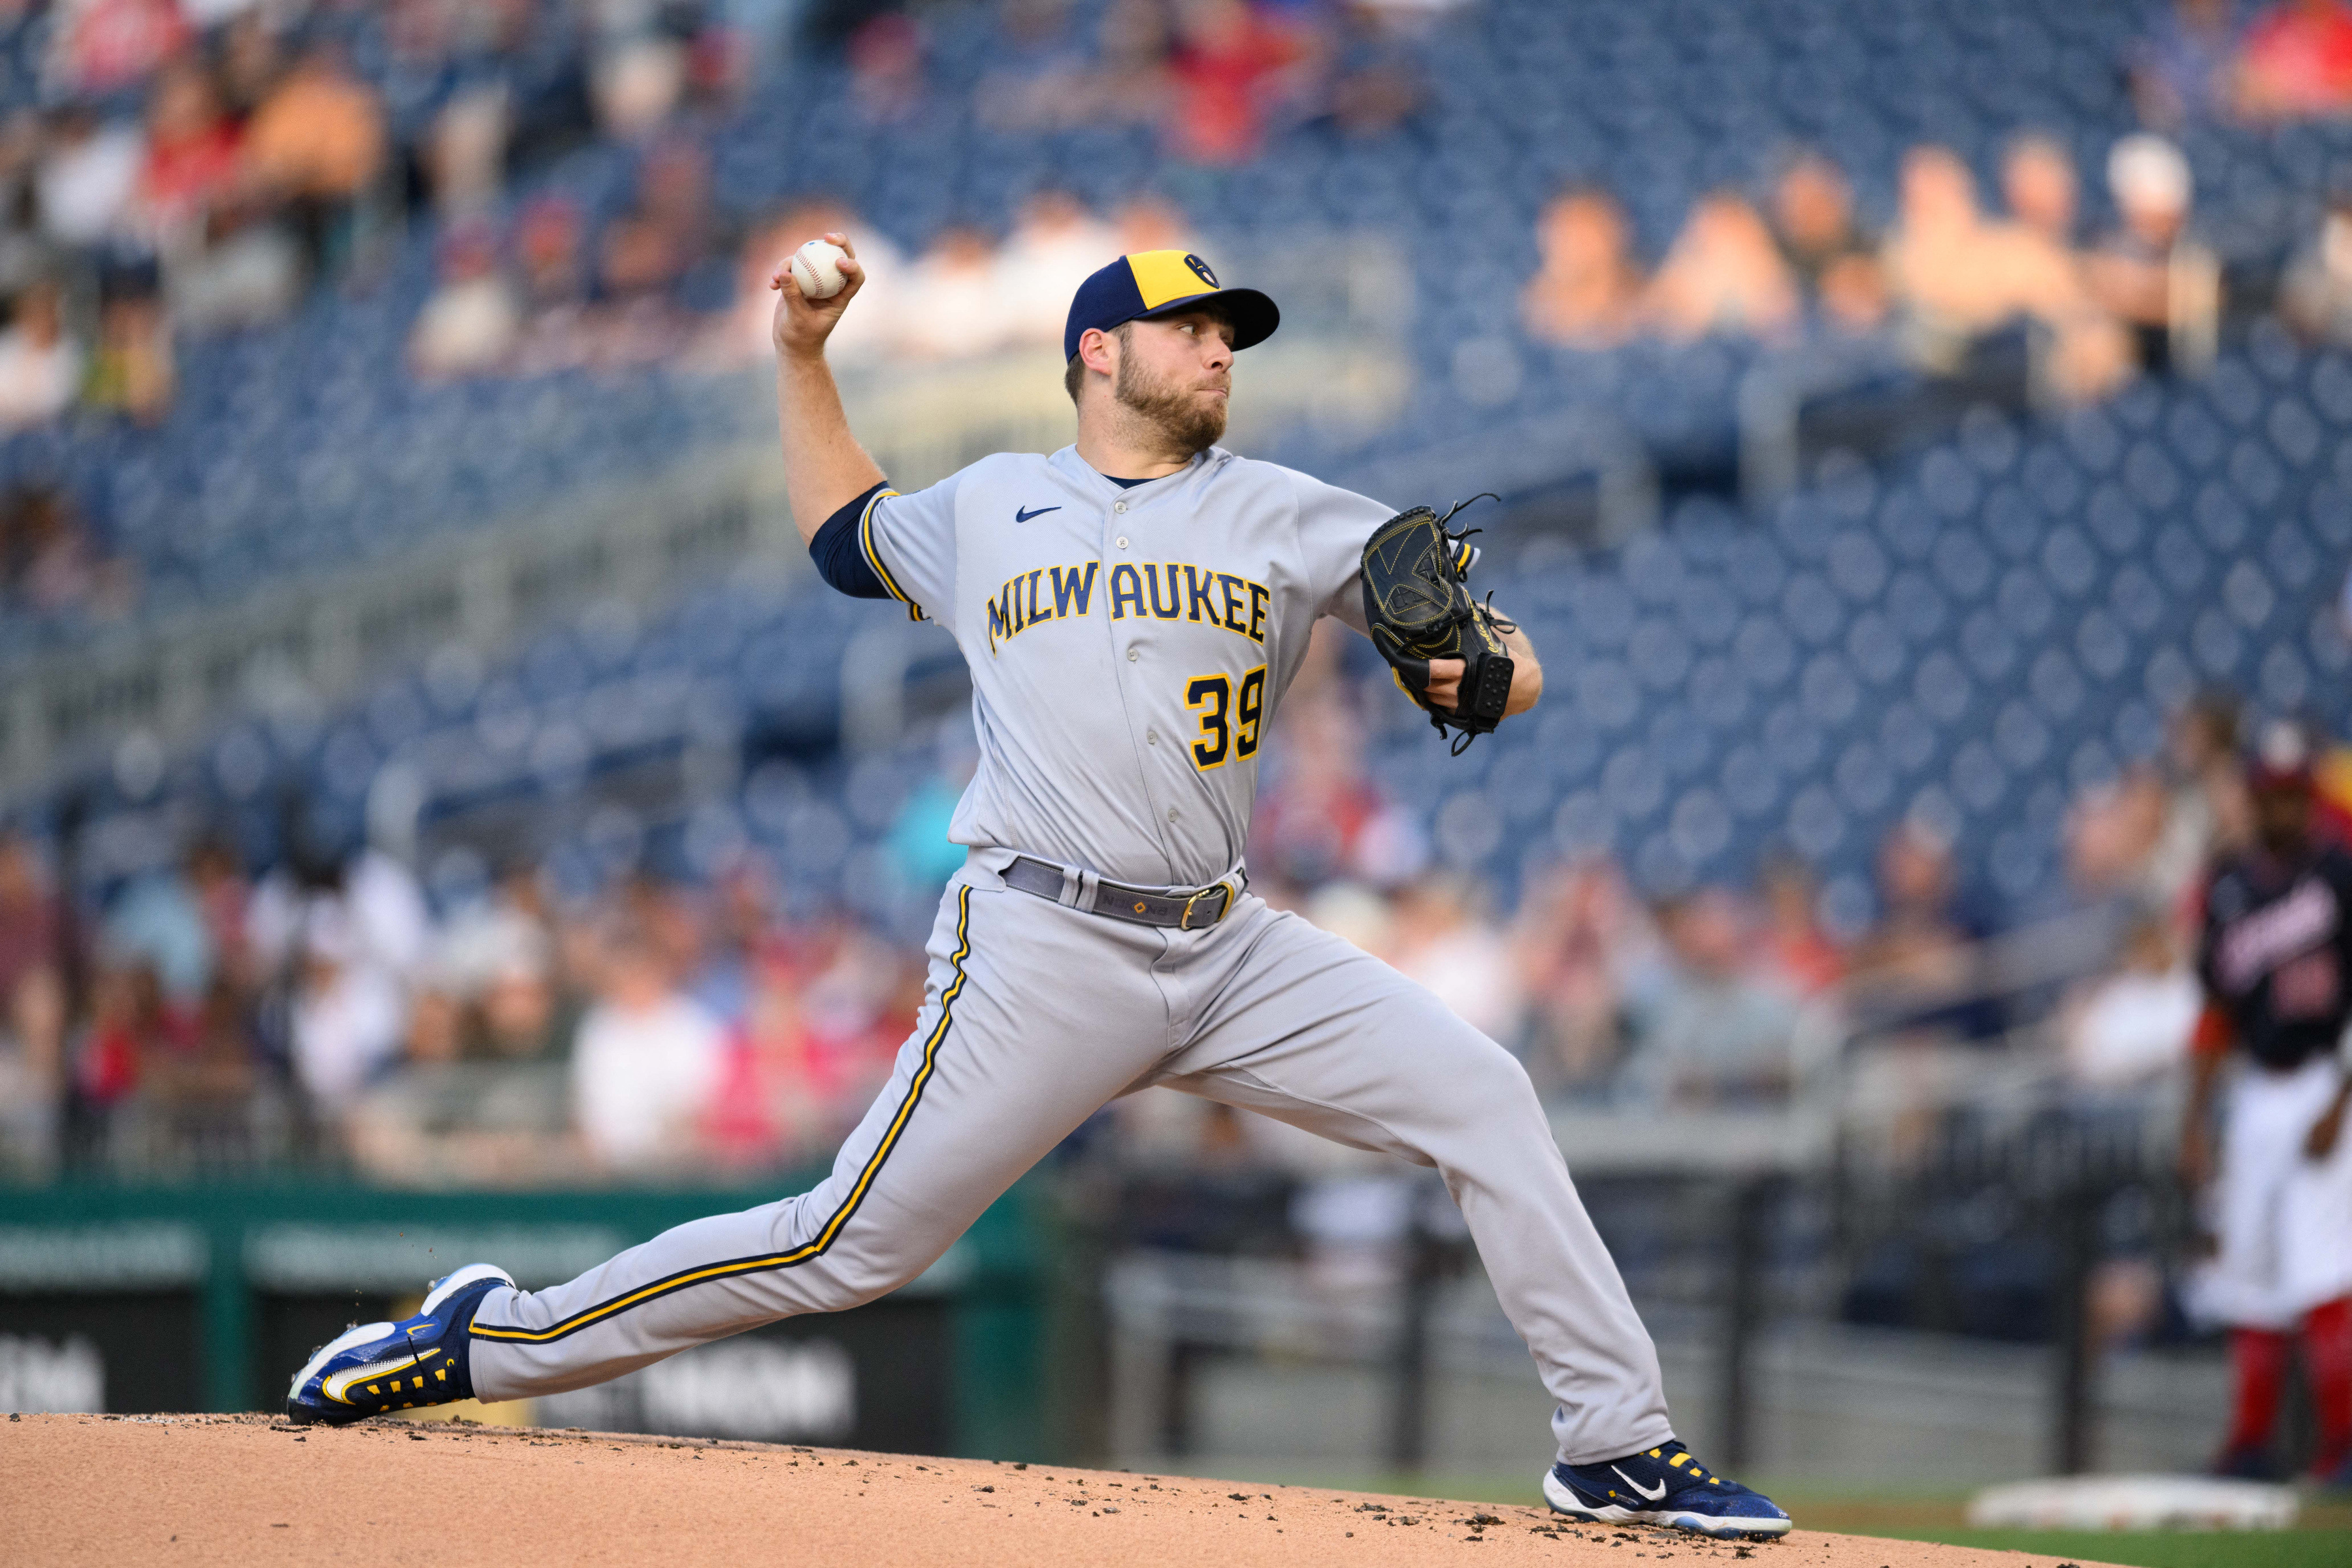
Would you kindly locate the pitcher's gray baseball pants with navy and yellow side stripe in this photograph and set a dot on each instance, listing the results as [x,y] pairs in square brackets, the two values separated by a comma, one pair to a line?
[1036,1017]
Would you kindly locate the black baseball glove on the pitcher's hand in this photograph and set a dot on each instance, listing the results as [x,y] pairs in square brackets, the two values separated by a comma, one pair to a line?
[1419,608]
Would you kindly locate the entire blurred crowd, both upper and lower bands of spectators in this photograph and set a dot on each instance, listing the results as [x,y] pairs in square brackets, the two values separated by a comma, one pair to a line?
[196,168]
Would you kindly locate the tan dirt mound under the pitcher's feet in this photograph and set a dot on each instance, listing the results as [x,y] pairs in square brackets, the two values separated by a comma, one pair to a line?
[246,1489]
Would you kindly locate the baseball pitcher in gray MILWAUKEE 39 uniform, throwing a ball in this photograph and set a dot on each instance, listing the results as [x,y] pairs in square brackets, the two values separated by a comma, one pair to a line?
[1132,610]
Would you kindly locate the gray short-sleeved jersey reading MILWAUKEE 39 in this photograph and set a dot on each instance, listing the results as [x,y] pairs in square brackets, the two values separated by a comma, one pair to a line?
[1128,645]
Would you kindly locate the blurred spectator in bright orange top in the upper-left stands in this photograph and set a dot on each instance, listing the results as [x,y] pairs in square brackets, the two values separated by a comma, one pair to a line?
[314,147]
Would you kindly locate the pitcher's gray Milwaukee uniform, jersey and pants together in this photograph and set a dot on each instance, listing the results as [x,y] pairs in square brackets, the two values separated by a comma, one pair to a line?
[1128,652]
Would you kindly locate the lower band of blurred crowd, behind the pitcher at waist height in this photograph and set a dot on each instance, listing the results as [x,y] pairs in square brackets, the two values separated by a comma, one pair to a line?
[509,1031]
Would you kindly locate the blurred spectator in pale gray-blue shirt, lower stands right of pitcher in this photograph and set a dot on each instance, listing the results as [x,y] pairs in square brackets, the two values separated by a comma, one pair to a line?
[1711,1033]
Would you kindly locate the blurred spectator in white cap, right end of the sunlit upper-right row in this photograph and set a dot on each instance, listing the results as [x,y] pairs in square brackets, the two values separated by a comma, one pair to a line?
[2151,274]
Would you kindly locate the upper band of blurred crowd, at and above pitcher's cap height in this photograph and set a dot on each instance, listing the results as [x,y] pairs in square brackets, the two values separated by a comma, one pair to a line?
[199,168]
